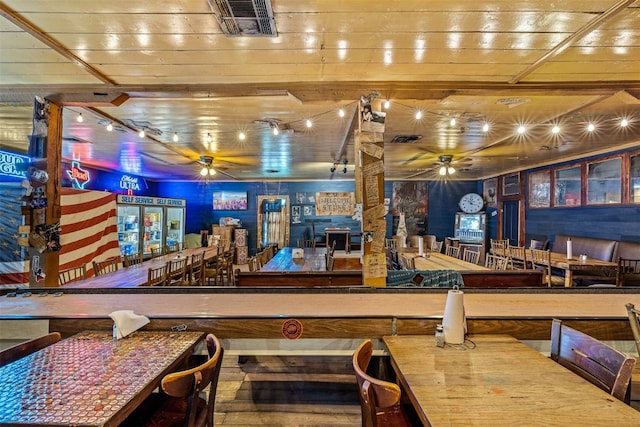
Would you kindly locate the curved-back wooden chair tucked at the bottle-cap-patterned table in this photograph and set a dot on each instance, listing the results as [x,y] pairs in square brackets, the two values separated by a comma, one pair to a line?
[181,404]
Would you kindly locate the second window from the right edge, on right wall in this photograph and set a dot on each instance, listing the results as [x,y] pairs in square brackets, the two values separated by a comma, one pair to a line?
[604,182]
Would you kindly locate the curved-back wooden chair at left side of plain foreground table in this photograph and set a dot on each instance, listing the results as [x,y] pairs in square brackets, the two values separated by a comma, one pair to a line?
[379,399]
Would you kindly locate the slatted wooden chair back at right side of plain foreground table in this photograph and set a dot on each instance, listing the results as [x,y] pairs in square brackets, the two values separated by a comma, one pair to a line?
[593,360]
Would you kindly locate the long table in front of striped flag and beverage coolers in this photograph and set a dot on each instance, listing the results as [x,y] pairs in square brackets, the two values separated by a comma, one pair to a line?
[137,275]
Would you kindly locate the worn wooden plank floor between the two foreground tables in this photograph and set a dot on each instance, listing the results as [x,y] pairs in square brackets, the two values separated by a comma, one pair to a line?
[287,391]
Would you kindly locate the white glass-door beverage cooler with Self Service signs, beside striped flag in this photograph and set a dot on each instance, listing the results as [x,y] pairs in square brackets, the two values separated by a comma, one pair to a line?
[149,222]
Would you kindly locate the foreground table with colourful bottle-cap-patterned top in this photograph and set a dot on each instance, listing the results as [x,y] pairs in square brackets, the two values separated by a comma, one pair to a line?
[90,379]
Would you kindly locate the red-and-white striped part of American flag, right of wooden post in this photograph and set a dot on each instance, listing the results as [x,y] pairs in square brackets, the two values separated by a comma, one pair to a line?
[88,229]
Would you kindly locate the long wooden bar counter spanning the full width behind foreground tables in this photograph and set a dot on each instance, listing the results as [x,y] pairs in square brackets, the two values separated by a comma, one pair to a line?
[330,313]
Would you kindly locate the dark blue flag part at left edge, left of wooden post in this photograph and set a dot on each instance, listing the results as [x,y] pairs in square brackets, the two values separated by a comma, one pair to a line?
[14,267]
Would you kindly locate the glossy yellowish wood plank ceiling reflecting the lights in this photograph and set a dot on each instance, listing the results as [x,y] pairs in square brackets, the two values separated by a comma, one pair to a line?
[503,63]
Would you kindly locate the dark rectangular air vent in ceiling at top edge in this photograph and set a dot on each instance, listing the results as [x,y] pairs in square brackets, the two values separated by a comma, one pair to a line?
[245,17]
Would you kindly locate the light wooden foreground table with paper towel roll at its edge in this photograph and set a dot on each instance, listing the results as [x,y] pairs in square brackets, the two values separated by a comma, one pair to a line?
[499,382]
